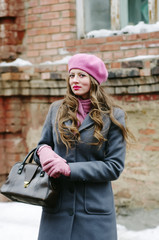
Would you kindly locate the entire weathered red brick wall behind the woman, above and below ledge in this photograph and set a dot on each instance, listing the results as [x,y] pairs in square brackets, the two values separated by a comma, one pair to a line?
[45,30]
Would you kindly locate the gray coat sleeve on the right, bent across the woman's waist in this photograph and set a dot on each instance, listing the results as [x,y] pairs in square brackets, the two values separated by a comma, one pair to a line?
[113,164]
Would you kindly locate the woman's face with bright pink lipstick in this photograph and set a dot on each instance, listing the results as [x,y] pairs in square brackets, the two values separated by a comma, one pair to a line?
[80,83]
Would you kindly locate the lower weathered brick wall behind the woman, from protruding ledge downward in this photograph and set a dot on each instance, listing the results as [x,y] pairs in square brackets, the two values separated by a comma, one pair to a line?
[27,92]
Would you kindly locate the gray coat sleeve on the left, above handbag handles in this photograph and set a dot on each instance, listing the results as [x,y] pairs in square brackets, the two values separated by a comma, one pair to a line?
[46,135]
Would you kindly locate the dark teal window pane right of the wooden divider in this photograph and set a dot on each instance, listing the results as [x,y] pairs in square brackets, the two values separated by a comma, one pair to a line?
[138,11]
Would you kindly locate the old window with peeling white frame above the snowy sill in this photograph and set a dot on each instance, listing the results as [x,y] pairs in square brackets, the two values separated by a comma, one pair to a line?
[113,14]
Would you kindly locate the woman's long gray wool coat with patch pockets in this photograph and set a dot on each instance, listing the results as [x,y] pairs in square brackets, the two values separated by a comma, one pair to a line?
[85,209]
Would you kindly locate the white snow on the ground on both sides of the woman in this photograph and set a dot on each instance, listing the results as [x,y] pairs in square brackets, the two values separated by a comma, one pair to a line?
[21,222]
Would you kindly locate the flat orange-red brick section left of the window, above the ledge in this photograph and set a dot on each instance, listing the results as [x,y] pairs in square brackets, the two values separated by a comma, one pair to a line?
[50,25]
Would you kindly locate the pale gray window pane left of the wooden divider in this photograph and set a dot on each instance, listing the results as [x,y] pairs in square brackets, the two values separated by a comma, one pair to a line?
[97,15]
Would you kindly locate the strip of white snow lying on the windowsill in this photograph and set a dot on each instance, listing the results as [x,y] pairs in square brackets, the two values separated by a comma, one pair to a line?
[141,27]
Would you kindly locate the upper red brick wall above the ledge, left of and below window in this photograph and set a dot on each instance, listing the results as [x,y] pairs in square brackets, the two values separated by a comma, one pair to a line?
[45,30]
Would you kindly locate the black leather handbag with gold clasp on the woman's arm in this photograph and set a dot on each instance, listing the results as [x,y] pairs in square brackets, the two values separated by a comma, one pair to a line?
[28,183]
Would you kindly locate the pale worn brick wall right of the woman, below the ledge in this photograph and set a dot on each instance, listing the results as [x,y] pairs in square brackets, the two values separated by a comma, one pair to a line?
[138,185]
